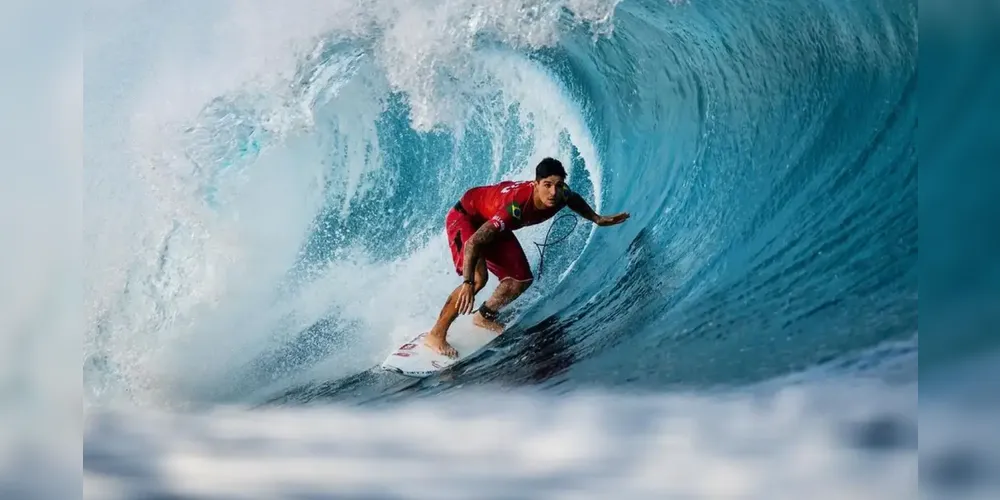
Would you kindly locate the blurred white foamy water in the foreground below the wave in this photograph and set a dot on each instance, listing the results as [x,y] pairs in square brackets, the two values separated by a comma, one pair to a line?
[855,441]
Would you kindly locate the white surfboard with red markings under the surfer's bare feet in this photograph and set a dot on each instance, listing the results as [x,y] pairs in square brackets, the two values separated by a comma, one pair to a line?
[413,358]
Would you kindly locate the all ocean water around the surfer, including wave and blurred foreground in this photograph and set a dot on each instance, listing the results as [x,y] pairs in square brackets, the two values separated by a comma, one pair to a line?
[263,200]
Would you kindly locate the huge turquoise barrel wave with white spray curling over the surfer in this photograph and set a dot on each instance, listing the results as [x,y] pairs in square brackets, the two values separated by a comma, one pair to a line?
[267,218]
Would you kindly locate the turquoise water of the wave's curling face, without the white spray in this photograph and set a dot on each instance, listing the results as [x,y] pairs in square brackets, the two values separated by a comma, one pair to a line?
[765,151]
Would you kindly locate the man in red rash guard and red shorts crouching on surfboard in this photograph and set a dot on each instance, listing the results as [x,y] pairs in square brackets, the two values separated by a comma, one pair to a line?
[480,231]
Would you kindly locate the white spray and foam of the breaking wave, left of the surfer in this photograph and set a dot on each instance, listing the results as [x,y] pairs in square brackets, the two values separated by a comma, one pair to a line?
[182,292]
